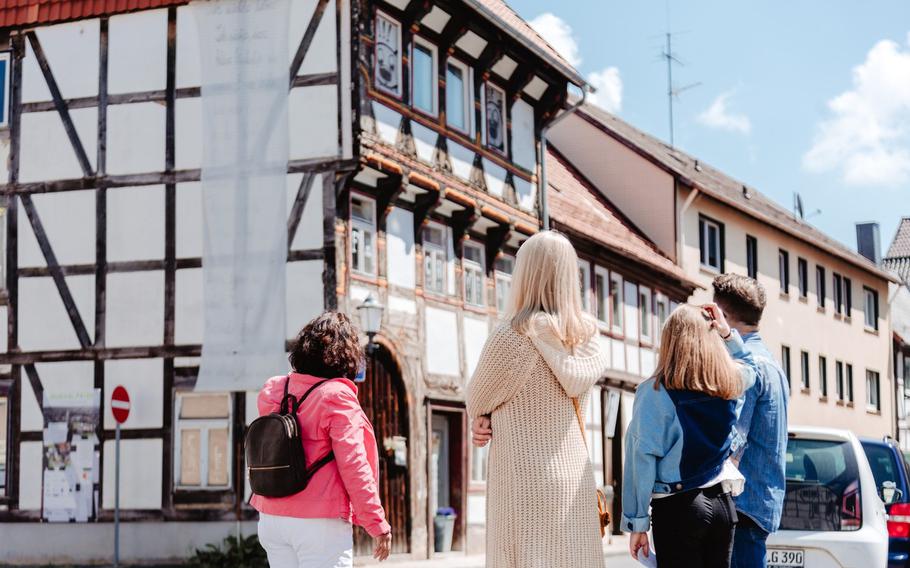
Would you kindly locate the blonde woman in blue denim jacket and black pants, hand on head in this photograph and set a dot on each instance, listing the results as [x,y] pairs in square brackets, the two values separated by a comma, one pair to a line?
[679,442]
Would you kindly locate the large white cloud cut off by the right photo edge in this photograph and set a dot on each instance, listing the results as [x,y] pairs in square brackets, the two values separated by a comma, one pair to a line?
[867,137]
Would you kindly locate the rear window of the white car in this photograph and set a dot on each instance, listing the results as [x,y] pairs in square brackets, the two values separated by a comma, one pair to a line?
[823,489]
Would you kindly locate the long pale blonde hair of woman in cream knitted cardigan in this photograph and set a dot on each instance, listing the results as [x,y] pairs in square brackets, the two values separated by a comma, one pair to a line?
[546,282]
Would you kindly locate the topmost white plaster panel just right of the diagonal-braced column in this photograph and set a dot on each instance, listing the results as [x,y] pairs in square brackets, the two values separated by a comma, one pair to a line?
[137,58]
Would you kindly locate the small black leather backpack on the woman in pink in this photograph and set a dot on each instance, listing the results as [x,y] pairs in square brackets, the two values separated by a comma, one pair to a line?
[274,451]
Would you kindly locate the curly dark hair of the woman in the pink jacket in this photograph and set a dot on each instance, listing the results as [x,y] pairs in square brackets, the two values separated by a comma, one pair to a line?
[328,347]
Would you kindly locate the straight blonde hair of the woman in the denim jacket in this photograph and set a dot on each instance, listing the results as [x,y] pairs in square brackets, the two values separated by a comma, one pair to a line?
[693,356]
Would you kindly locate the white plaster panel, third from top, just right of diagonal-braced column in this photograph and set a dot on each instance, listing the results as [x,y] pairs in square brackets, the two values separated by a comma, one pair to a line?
[135,223]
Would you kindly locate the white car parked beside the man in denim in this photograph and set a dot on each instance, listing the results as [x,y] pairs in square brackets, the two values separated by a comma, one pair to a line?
[833,515]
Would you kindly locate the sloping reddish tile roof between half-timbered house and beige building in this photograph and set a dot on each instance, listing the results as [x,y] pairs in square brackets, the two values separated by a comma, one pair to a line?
[577,205]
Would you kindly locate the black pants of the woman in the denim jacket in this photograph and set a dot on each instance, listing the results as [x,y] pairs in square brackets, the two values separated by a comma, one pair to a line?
[694,529]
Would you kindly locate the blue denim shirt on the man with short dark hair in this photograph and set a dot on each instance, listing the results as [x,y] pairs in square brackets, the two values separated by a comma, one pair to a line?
[761,443]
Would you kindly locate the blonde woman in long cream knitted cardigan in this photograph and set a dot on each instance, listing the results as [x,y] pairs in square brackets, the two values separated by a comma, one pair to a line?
[541,502]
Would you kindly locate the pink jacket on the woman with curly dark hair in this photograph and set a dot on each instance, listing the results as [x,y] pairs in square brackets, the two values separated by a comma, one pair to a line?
[330,419]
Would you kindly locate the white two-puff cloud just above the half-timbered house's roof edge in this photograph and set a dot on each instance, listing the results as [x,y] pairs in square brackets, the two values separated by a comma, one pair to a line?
[607,81]
